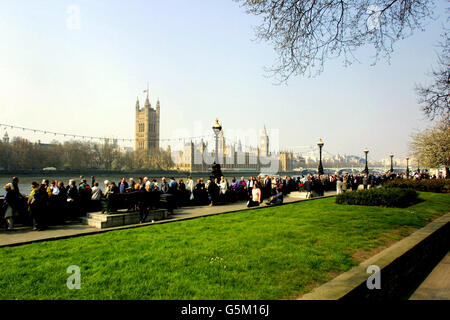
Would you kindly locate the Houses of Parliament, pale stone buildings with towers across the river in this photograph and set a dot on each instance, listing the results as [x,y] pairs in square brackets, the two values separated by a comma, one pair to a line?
[195,157]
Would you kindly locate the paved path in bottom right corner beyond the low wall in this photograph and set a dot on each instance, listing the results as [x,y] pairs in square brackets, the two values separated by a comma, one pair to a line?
[437,285]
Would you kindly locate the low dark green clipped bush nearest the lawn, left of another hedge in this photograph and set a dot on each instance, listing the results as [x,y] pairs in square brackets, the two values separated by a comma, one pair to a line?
[387,197]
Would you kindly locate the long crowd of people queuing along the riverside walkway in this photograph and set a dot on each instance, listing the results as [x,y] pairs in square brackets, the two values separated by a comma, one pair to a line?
[56,203]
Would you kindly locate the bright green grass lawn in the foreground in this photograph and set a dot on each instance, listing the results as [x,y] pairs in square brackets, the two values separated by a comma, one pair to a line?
[272,253]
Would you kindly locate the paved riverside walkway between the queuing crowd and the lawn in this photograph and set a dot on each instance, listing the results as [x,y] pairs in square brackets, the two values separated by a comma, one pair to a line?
[26,235]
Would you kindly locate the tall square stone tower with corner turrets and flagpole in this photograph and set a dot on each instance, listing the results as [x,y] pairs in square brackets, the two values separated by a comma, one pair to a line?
[147,126]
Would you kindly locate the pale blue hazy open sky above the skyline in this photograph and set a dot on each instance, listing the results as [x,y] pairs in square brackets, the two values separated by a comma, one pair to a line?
[201,59]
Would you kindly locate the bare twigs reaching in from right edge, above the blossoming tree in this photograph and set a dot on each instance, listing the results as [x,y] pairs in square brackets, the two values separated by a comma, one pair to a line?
[434,98]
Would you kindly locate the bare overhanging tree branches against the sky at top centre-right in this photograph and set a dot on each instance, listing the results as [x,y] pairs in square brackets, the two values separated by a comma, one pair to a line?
[307,33]
